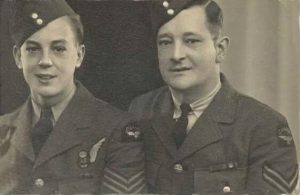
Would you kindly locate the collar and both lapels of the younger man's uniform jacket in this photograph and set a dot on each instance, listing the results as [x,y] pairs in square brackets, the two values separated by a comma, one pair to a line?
[64,134]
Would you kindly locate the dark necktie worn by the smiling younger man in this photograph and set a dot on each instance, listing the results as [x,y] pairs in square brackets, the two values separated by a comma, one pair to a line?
[41,130]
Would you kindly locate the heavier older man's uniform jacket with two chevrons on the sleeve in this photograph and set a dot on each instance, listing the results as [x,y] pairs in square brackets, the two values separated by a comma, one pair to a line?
[237,145]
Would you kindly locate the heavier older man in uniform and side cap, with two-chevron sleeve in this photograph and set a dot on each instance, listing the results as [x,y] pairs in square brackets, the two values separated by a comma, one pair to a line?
[222,141]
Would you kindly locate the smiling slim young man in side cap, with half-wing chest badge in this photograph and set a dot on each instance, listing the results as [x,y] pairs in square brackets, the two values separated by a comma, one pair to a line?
[62,140]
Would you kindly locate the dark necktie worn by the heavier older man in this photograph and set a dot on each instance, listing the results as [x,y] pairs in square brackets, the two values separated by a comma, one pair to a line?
[179,131]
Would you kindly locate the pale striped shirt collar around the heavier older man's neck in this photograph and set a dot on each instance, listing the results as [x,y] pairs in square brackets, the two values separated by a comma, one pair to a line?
[197,106]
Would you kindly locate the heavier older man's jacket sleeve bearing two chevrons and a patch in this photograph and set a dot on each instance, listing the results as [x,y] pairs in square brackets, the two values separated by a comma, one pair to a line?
[273,164]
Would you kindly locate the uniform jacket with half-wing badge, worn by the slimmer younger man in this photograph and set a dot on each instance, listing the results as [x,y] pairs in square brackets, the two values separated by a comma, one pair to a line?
[88,152]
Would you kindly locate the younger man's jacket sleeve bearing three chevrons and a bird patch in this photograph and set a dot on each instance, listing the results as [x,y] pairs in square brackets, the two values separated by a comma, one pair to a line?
[124,169]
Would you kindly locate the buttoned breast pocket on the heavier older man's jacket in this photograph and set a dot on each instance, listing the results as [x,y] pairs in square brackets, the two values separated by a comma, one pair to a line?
[221,181]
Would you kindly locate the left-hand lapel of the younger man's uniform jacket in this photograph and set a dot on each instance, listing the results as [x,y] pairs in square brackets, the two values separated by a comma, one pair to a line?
[21,120]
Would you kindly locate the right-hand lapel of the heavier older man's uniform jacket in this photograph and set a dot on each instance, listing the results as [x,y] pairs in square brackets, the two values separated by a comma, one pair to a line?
[208,128]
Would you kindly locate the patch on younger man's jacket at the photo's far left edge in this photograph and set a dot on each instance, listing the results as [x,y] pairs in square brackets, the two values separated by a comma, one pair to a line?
[6,134]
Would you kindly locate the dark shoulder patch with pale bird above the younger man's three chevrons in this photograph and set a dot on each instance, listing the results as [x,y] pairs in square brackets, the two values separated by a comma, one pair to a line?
[131,133]
